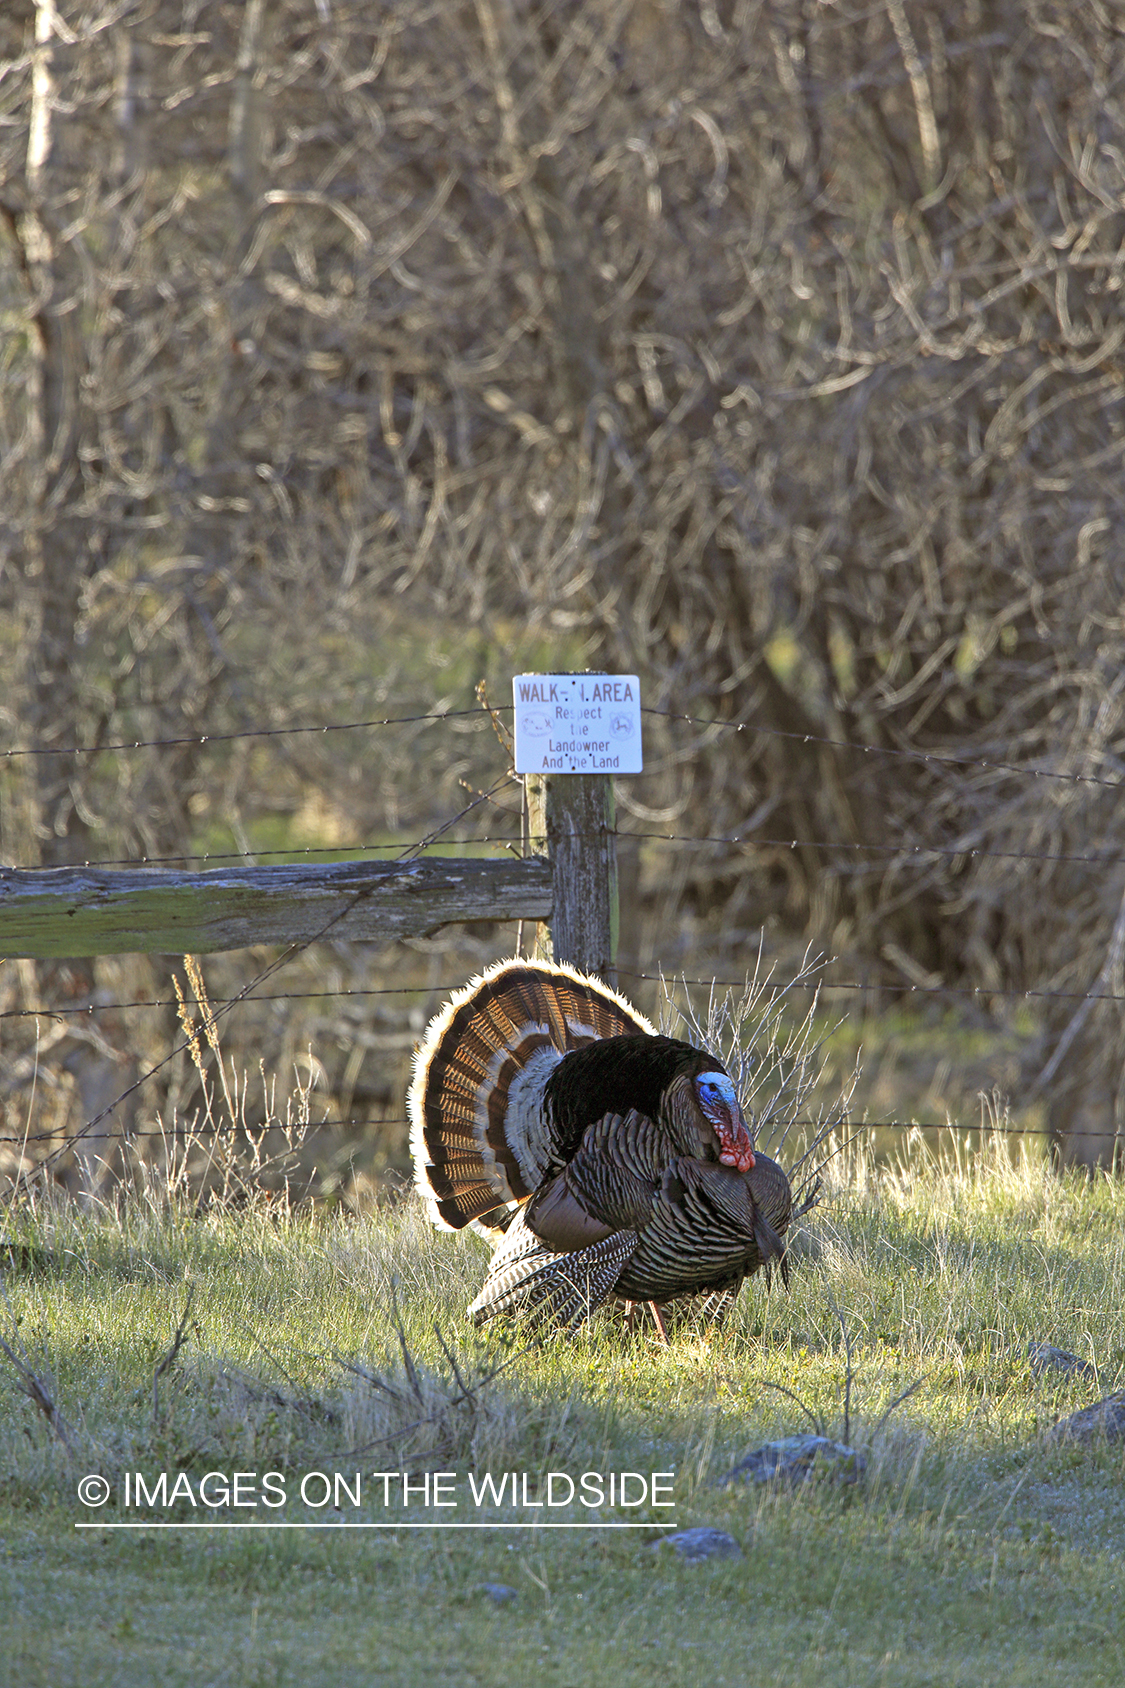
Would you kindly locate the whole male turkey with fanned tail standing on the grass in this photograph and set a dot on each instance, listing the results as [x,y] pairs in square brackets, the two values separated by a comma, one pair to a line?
[604,1159]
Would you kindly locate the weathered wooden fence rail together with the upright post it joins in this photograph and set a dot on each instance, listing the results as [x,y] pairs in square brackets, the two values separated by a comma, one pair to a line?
[568,887]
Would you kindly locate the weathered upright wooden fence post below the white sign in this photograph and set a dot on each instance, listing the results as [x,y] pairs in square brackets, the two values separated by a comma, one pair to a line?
[572,821]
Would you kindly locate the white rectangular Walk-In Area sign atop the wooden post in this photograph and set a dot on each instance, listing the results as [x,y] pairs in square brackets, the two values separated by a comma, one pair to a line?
[577,723]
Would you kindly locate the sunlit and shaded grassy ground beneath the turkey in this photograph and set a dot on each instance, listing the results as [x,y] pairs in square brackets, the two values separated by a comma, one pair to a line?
[972,1550]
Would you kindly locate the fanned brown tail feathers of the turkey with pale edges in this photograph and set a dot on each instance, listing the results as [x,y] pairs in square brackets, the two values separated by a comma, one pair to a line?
[479,1137]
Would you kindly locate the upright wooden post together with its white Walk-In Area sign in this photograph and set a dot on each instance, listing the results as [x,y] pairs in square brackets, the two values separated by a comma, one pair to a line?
[573,733]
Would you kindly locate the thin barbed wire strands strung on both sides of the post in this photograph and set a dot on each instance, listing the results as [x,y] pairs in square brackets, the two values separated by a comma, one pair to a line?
[452,833]
